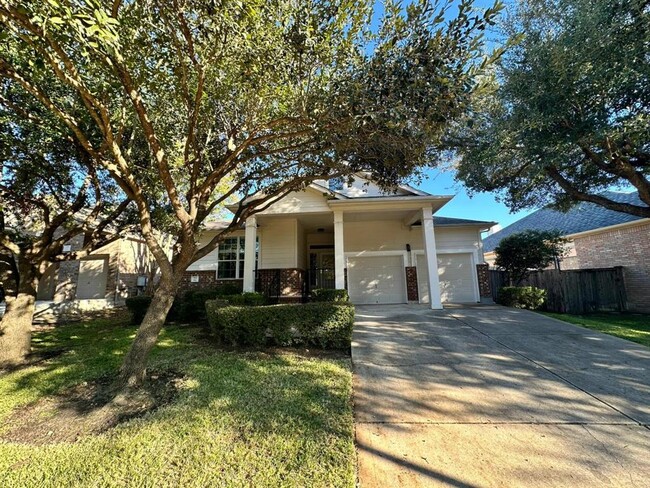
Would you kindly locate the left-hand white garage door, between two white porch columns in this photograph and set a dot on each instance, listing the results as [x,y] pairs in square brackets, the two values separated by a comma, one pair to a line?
[377,279]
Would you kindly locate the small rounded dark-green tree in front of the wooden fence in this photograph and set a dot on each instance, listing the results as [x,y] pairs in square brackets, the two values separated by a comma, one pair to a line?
[520,253]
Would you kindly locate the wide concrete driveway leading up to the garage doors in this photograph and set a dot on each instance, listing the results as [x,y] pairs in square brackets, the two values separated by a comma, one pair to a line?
[490,396]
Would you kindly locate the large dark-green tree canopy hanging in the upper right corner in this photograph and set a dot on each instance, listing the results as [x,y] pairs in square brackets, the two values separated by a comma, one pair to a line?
[569,116]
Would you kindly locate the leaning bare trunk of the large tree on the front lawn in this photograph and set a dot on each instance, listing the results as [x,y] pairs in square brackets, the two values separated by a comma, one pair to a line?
[134,367]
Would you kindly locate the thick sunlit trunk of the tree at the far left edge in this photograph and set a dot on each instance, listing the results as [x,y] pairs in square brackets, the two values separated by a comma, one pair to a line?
[16,325]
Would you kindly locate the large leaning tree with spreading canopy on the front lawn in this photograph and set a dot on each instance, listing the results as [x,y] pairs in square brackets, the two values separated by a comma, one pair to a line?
[271,94]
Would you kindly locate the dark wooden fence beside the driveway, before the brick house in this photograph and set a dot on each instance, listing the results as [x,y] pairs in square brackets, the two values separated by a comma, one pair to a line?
[574,291]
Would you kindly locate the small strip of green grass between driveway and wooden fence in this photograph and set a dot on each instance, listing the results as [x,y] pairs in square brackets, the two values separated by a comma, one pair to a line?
[632,327]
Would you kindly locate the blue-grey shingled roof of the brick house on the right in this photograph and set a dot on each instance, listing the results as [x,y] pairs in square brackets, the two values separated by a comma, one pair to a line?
[582,217]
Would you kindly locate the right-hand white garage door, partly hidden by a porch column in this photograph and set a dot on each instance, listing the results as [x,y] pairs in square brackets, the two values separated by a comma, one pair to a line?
[456,276]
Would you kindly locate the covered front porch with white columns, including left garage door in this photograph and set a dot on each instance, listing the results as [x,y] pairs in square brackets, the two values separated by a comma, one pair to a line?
[372,252]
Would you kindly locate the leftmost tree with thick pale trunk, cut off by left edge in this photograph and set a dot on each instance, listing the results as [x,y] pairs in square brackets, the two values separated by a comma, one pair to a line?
[48,195]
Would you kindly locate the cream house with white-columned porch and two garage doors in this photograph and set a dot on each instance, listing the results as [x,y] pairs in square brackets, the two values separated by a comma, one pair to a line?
[383,246]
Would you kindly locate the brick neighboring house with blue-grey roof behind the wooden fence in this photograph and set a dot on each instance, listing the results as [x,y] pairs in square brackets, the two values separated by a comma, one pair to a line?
[598,238]
